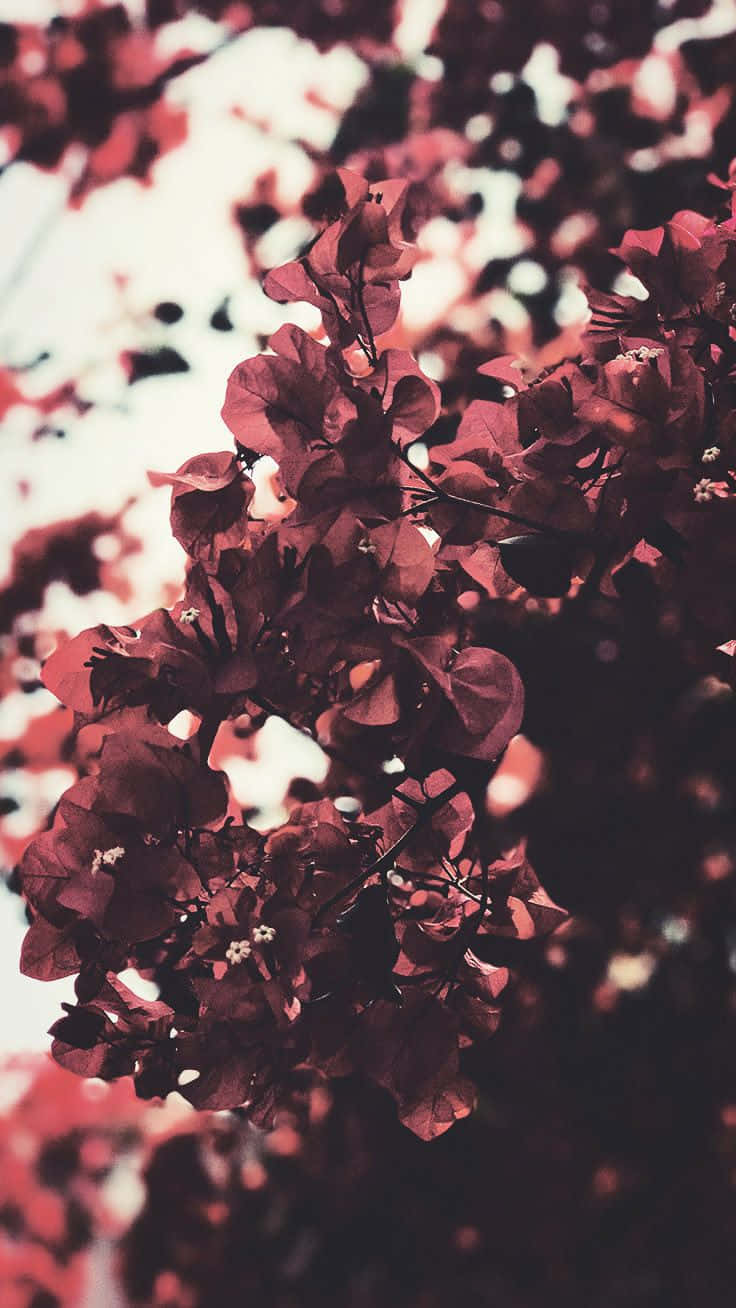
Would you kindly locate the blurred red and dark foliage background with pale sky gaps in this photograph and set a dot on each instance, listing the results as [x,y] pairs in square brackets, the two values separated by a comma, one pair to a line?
[158,159]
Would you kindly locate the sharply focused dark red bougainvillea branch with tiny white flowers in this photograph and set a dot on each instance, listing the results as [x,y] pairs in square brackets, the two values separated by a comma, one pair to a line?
[368,936]
